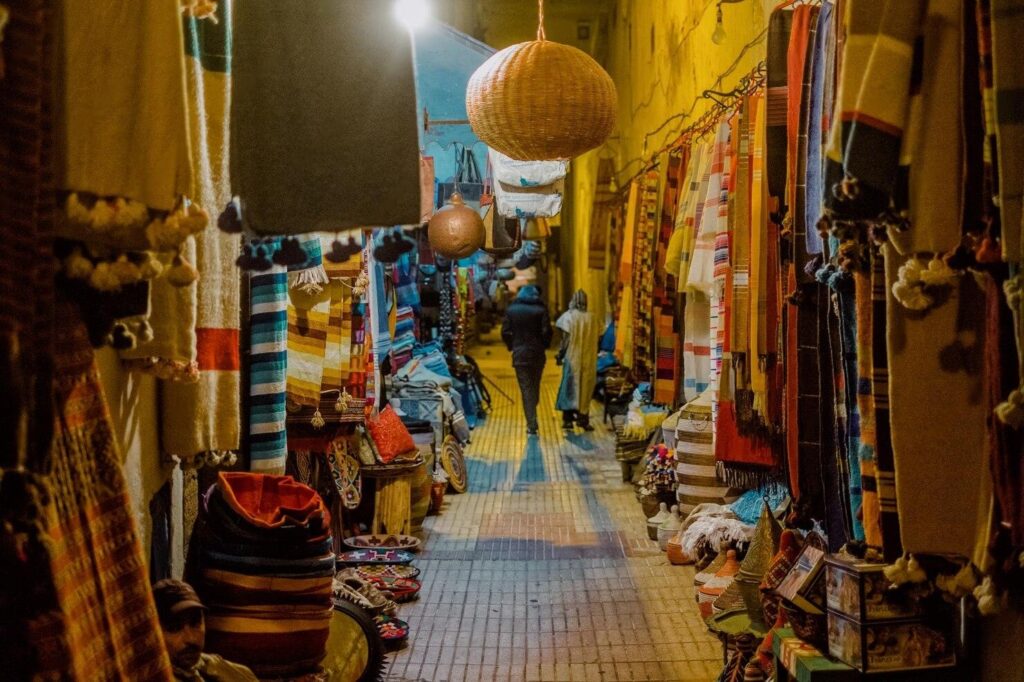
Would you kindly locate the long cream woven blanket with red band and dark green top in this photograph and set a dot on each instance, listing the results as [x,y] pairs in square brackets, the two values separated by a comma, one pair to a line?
[205,415]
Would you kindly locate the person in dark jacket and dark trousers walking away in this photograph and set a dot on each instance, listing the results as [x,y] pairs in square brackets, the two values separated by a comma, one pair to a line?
[527,332]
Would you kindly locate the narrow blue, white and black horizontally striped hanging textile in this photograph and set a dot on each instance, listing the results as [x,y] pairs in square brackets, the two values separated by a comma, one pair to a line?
[268,369]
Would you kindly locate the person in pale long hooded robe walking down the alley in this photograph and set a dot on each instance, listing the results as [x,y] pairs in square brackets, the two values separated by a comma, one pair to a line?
[578,357]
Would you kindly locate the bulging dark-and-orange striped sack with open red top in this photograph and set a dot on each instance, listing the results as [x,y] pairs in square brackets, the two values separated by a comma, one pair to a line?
[265,570]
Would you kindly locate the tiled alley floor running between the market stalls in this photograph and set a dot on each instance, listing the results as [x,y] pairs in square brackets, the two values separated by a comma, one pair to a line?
[543,571]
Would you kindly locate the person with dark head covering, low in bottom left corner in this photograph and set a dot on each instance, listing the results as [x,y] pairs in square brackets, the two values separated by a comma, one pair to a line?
[184,622]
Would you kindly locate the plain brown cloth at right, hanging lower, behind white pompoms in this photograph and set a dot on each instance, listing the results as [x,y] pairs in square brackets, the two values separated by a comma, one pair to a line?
[935,360]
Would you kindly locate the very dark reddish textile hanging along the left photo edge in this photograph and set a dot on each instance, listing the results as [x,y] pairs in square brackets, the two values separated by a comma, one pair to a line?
[27,214]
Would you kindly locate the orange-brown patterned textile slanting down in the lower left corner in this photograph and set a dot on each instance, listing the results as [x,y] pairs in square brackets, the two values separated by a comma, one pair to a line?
[104,623]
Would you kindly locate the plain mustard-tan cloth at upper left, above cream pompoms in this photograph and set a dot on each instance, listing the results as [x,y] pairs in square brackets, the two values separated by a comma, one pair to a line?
[122,117]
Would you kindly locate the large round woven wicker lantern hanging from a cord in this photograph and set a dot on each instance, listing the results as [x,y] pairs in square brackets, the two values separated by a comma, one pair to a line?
[542,101]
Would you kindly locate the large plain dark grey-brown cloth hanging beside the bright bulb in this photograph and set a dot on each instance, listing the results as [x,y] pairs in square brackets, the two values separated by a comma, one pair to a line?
[324,133]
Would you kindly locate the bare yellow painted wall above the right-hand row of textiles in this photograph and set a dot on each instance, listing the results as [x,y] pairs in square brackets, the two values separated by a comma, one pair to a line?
[662,58]
